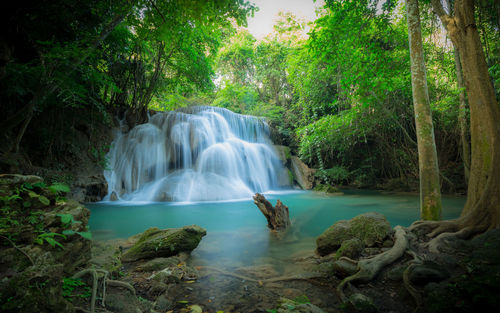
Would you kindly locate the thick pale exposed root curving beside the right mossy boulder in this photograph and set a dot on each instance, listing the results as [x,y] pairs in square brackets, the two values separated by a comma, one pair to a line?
[369,268]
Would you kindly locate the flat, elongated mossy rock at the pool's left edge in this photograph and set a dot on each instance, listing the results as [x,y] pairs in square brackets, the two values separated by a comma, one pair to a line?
[155,242]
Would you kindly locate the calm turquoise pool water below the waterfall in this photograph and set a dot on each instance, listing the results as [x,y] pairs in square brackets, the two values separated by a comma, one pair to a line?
[236,230]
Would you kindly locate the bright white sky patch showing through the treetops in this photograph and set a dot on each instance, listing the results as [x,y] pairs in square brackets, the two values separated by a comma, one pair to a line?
[262,22]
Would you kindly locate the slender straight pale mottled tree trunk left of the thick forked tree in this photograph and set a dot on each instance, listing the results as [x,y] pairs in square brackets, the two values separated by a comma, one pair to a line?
[430,194]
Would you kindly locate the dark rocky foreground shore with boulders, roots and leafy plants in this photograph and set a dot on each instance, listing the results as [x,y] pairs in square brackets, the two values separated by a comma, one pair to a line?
[49,264]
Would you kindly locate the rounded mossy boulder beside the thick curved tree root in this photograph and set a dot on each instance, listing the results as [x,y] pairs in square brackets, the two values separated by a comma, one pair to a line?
[370,228]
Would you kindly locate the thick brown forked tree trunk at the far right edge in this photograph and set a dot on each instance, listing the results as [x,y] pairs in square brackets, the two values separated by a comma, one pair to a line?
[482,209]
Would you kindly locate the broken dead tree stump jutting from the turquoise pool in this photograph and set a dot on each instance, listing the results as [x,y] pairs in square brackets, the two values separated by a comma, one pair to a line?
[278,219]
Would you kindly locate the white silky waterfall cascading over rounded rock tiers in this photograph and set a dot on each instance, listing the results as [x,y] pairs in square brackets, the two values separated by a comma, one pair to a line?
[193,154]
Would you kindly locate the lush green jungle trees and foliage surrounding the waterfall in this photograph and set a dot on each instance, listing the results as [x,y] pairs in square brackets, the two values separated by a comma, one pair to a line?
[338,90]
